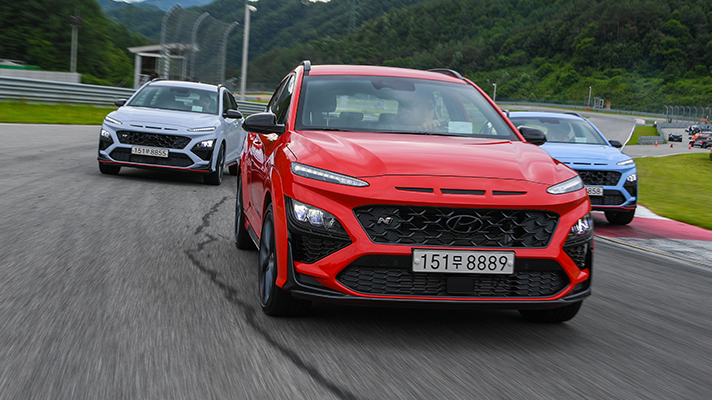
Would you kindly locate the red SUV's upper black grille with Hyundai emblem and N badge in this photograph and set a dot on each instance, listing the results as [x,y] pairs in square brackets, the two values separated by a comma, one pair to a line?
[457,227]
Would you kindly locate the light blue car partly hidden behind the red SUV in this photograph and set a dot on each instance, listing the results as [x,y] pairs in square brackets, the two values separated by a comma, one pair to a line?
[610,175]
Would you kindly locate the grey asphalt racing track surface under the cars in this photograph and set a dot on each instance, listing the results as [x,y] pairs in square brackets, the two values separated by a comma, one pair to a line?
[129,287]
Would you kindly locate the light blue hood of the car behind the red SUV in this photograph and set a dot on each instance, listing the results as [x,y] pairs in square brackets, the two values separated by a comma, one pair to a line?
[582,154]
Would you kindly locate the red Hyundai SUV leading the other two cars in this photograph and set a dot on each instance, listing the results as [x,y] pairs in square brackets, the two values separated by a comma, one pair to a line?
[393,186]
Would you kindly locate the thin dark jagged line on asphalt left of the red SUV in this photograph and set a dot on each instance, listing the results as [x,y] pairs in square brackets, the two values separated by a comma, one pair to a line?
[250,312]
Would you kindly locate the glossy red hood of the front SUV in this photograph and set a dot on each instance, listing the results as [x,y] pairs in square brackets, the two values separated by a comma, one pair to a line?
[363,154]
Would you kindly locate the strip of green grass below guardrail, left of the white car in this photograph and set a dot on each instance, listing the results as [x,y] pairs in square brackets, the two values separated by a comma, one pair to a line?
[29,113]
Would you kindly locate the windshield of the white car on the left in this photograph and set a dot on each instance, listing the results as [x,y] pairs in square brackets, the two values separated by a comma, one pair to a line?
[177,98]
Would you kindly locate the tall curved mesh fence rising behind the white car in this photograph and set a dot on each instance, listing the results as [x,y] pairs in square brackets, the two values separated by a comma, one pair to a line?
[193,46]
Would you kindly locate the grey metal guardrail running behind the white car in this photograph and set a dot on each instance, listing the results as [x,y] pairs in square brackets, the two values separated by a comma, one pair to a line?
[40,91]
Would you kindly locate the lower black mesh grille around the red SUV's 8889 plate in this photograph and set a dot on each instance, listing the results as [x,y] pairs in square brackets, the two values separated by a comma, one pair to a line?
[540,278]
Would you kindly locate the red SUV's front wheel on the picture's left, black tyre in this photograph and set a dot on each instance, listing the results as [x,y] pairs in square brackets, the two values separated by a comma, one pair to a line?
[274,300]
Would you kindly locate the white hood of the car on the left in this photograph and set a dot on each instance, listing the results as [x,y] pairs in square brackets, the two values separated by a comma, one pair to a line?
[165,118]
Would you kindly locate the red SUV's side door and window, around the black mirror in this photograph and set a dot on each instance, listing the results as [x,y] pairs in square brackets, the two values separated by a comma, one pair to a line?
[261,146]
